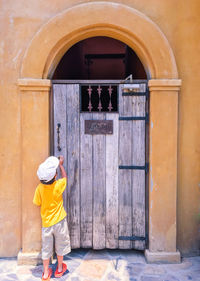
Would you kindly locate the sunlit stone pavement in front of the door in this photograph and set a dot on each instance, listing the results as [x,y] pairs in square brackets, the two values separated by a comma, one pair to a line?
[112,265]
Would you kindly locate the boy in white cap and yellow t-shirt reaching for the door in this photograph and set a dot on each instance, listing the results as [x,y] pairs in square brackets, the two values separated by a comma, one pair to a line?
[48,195]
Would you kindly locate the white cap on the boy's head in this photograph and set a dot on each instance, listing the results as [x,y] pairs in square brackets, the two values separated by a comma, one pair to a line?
[47,169]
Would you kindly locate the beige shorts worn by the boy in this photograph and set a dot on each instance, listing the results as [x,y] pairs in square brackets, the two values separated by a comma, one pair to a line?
[60,233]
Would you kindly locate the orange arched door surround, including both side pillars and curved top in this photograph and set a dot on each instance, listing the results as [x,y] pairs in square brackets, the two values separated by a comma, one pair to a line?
[38,65]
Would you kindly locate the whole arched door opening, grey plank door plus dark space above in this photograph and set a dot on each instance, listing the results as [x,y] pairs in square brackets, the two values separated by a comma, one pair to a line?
[100,127]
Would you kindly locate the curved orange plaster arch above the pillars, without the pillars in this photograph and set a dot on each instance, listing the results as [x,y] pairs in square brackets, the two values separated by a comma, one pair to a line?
[99,19]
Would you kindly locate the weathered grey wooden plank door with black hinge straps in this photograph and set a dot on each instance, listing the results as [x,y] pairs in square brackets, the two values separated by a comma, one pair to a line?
[105,198]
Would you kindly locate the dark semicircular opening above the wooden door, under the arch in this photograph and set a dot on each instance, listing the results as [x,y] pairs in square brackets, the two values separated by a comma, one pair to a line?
[99,58]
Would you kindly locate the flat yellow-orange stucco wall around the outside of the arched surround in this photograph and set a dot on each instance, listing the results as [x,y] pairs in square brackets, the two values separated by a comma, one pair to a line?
[20,20]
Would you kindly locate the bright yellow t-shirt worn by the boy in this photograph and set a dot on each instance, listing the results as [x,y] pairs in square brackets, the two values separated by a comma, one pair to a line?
[49,197]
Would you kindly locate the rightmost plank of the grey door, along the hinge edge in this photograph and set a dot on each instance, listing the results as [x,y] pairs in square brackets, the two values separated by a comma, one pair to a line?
[138,177]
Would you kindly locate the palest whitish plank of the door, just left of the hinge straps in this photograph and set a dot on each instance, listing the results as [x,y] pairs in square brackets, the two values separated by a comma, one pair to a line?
[112,184]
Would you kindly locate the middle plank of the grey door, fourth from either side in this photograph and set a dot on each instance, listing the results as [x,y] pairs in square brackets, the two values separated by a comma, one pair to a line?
[99,177]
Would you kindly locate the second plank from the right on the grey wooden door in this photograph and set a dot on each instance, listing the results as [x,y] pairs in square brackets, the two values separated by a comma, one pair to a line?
[125,158]
